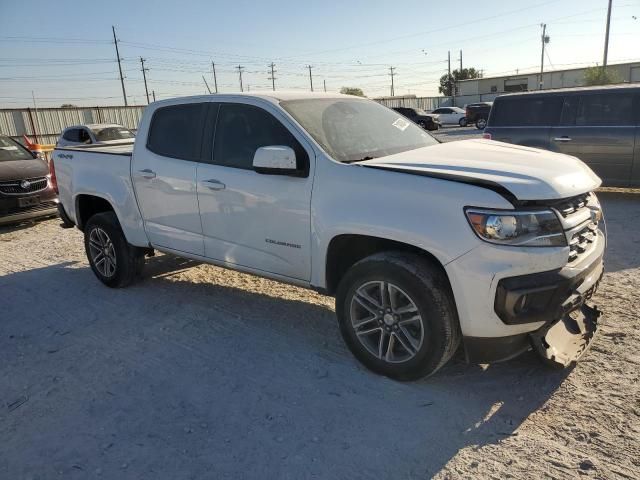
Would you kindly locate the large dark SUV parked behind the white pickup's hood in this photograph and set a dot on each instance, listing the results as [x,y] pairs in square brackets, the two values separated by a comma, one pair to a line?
[599,125]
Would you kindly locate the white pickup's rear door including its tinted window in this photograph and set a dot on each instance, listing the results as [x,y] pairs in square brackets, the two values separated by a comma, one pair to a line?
[164,177]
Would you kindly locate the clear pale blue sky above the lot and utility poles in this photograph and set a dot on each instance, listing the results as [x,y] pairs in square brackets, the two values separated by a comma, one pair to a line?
[63,52]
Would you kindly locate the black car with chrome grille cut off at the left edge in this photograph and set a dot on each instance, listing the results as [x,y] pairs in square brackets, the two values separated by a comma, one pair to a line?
[26,190]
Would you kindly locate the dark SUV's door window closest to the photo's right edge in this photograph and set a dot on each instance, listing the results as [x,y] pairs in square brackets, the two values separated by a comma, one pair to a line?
[605,109]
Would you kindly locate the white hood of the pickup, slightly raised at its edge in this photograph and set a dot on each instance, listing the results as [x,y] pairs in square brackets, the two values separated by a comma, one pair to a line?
[520,172]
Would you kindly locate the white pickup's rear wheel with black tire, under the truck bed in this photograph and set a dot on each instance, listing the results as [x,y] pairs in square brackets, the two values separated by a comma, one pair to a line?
[121,262]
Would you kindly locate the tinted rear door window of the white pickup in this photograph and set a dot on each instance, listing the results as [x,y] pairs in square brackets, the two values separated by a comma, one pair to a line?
[176,131]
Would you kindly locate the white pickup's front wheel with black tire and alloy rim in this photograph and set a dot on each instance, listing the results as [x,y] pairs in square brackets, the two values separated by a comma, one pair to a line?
[422,290]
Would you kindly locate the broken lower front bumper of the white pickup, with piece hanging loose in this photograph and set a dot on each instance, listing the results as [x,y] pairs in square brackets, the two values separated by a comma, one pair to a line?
[560,299]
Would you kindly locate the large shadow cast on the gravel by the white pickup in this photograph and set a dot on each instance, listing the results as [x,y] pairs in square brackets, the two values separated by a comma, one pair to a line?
[176,378]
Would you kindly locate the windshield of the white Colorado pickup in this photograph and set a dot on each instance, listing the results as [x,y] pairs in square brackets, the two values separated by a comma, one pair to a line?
[352,129]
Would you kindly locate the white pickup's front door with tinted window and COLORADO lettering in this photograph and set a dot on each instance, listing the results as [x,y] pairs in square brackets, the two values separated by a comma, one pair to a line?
[250,219]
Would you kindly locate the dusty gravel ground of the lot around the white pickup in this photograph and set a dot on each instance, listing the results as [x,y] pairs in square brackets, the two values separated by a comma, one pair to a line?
[198,372]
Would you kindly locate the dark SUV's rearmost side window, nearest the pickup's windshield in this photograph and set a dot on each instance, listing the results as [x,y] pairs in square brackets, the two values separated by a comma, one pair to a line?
[527,112]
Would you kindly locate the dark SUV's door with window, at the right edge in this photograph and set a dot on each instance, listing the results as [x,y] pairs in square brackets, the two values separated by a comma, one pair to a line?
[599,128]
